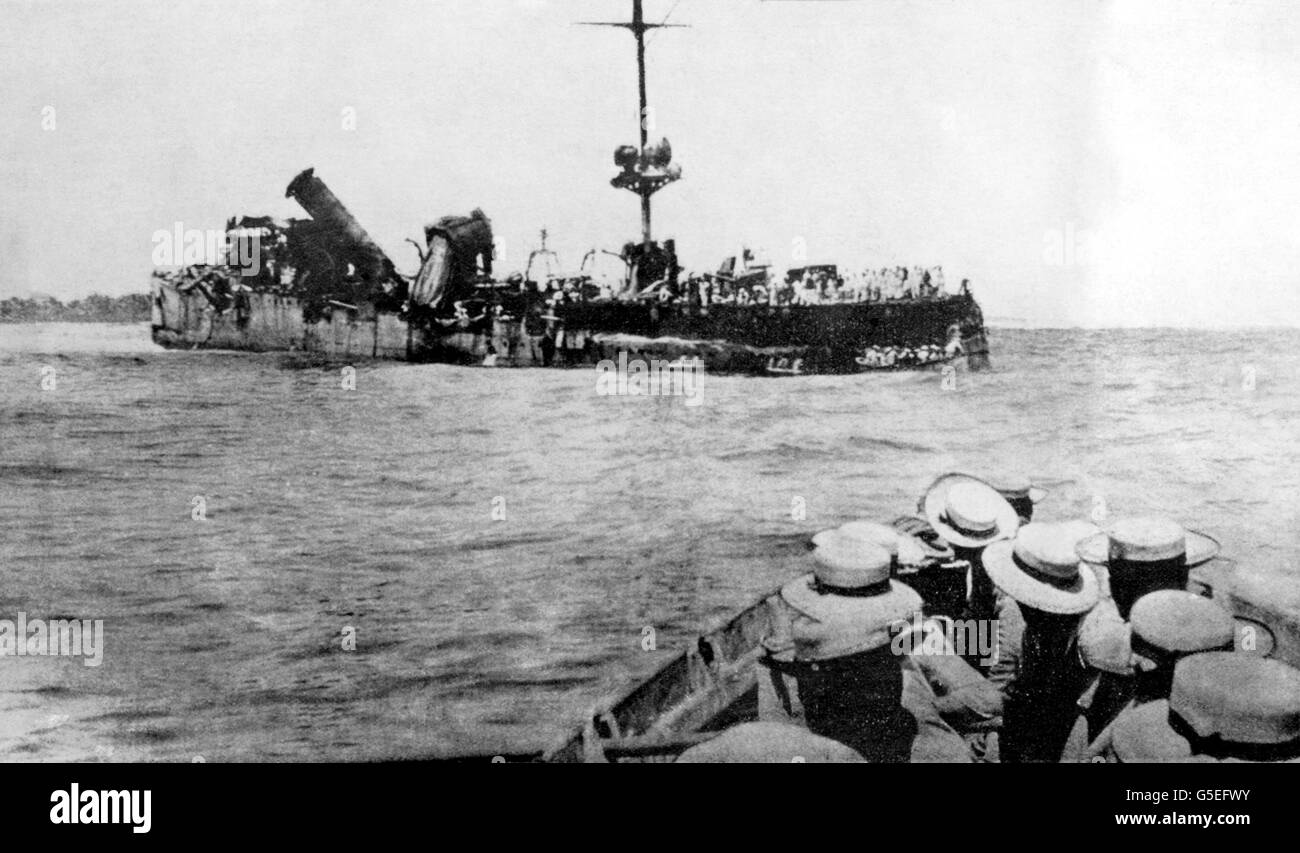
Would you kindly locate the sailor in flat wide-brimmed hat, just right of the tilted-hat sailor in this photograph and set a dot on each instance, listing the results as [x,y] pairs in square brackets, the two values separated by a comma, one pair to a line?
[1137,558]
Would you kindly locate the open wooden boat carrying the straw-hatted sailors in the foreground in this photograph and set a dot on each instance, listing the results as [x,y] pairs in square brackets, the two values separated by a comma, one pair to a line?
[716,683]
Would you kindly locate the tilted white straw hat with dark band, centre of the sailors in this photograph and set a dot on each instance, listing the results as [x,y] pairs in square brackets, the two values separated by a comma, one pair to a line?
[1041,570]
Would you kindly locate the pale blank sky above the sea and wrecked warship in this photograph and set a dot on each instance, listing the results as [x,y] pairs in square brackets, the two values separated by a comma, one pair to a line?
[1084,163]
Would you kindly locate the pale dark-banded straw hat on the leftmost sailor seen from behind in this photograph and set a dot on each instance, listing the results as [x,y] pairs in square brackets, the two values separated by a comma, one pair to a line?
[850,601]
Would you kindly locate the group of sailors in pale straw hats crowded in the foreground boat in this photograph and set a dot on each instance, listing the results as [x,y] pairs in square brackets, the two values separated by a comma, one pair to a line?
[1108,646]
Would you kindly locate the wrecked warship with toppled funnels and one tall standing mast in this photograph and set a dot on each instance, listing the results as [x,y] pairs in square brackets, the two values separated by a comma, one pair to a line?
[323,285]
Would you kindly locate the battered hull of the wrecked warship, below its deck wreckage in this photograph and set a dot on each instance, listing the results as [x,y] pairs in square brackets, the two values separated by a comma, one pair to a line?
[749,340]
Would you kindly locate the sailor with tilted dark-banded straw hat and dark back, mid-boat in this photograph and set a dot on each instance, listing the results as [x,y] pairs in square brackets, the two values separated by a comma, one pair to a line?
[1045,575]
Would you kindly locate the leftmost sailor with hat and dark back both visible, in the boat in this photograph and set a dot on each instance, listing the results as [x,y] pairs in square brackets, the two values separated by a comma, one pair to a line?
[851,685]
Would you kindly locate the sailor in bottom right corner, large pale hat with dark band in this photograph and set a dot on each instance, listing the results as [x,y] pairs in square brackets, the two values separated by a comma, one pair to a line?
[1223,707]
